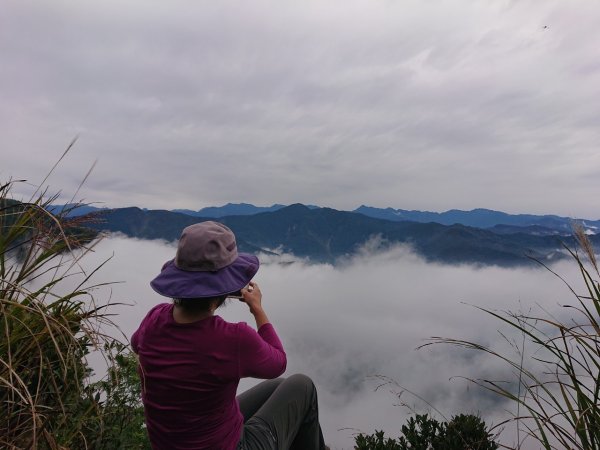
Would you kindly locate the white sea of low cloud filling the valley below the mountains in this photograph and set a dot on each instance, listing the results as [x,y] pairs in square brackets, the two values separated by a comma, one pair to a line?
[353,327]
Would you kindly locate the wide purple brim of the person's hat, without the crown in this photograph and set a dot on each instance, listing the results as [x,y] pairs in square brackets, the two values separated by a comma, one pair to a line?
[174,282]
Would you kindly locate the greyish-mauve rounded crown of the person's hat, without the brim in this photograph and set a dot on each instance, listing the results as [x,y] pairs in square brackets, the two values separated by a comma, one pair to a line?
[205,247]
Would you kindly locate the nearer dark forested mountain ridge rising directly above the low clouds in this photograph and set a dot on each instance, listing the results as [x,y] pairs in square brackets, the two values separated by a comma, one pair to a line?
[328,235]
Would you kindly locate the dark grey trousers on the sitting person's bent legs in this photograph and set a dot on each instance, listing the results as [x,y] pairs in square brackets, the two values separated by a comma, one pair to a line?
[281,414]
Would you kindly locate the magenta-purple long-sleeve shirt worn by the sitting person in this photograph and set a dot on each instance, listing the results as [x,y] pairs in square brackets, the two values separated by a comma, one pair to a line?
[190,374]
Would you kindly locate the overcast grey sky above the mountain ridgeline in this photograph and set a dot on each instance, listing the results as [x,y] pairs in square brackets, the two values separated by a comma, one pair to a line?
[427,105]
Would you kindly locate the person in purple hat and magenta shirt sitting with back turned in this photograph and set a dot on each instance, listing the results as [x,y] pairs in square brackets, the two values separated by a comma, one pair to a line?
[191,360]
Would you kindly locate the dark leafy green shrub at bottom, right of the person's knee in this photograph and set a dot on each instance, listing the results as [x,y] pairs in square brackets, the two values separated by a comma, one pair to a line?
[462,432]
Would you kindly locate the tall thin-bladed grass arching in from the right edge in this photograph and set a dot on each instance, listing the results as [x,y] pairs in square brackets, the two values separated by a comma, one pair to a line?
[559,405]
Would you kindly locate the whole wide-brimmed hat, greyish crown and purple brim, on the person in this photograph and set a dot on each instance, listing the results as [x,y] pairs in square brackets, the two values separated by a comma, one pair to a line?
[207,264]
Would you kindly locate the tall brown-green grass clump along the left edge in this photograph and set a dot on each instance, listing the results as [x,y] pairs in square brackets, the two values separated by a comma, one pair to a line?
[49,322]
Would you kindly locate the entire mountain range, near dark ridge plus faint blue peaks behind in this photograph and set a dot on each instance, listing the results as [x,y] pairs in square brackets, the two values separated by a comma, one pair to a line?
[326,235]
